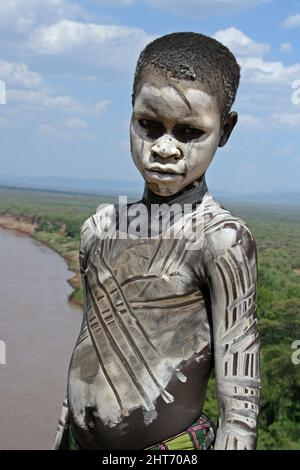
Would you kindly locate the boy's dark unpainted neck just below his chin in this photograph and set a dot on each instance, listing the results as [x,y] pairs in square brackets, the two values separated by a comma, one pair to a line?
[191,194]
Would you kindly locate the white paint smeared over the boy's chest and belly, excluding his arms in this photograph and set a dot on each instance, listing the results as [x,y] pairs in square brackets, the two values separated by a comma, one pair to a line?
[160,349]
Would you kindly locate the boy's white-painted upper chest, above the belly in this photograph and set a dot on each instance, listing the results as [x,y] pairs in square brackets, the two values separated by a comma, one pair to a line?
[153,273]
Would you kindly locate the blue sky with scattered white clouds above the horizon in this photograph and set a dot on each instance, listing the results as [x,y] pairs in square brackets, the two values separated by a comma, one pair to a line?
[66,71]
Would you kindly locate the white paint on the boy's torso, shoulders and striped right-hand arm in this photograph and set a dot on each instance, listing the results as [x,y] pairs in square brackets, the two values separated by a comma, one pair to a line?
[176,333]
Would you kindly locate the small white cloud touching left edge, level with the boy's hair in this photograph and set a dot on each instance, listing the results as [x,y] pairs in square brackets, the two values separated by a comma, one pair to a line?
[19,74]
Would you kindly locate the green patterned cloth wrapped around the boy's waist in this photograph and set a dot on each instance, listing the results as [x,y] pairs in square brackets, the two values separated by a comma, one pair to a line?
[198,436]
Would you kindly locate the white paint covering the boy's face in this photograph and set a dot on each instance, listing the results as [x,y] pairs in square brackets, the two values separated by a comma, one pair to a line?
[174,134]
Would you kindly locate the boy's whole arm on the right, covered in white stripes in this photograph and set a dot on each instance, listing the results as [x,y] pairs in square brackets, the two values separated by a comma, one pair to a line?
[232,274]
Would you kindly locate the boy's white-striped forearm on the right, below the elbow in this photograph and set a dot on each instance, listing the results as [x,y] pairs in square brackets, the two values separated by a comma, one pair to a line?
[238,382]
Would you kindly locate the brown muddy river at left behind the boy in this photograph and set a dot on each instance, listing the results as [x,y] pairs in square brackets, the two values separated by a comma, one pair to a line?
[39,327]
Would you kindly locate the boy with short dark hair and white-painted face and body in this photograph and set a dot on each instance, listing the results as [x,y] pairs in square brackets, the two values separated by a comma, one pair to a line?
[159,312]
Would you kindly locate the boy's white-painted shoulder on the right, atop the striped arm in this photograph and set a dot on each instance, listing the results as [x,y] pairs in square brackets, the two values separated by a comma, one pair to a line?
[223,230]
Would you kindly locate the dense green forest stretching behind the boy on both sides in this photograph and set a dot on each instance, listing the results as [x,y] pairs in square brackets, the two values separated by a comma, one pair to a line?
[57,218]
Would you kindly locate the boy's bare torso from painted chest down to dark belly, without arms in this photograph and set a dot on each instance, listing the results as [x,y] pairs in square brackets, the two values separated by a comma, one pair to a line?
[141,364]
